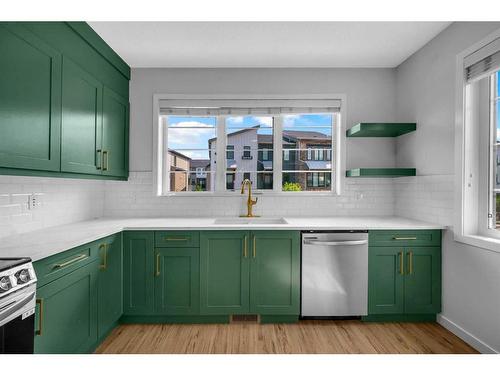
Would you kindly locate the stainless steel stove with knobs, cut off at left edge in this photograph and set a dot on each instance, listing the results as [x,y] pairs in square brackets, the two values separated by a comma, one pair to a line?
[17,305]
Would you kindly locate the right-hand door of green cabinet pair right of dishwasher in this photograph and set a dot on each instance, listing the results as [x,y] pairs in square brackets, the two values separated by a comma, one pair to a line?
[422,289]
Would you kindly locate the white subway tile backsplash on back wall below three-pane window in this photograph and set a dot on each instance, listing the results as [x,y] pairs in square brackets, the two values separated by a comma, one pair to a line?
[137,198]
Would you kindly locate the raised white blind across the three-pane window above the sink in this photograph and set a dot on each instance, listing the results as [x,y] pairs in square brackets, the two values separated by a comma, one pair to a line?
[240,107]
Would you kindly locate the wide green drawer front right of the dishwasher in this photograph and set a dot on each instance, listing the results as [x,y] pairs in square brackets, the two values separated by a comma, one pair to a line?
[404,238]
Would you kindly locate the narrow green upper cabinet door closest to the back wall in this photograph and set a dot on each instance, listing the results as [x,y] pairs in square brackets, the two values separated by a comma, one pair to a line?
[115,134]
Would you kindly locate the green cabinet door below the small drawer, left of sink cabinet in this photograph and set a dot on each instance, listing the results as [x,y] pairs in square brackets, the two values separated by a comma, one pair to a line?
[177,281]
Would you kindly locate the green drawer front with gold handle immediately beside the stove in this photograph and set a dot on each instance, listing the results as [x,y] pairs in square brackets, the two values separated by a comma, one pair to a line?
[56,266]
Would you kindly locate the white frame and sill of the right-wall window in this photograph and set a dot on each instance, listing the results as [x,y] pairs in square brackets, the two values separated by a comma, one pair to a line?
[472,157]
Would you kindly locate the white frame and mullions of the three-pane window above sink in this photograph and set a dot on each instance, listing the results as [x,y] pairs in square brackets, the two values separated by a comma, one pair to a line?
[160,137]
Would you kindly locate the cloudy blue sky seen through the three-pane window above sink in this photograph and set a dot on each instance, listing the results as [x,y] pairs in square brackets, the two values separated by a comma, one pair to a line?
[189,135]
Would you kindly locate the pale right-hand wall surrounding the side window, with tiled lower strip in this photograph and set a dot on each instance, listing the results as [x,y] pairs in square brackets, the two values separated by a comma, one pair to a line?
[425,93]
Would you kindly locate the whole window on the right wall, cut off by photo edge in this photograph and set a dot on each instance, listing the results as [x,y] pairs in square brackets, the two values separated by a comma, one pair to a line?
[478,144]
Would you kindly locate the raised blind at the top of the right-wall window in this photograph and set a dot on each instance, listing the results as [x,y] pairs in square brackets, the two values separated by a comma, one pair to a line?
[483,62]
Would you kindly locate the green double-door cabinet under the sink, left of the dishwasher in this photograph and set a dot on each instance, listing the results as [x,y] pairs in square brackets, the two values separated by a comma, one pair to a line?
[250,272]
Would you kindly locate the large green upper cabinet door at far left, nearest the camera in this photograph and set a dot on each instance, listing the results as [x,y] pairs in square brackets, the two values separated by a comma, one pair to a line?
[30,101]
